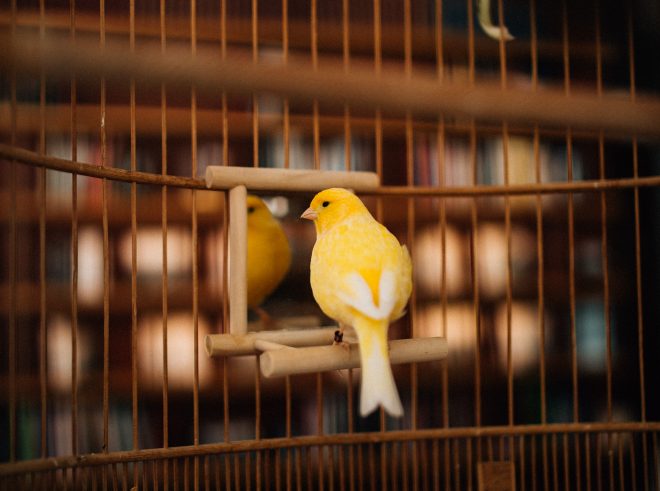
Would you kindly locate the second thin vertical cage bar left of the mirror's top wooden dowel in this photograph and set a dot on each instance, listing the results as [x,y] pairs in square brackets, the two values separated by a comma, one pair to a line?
[164,228]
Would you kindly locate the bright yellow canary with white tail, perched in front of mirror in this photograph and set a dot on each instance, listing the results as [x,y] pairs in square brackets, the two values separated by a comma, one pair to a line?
[361,276]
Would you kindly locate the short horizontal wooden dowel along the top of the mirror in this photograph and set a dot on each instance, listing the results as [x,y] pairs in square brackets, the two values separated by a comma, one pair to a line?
[254,178]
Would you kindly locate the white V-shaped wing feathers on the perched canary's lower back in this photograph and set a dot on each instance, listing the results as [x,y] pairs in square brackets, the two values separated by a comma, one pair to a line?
[360,297]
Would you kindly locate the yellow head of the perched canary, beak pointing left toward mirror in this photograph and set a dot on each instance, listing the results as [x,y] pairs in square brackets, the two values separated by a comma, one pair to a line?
[331,206]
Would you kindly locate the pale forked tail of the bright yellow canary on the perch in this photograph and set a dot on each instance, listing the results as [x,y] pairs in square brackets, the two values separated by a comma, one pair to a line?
[378,387]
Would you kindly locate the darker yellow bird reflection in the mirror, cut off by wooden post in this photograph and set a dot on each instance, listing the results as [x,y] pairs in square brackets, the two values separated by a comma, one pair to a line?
[268,254]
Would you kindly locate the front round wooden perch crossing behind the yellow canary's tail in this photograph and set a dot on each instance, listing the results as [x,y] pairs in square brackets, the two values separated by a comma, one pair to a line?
[291,361]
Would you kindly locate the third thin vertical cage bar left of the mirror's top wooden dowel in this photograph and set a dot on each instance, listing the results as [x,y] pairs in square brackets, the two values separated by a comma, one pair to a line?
[134,363]
